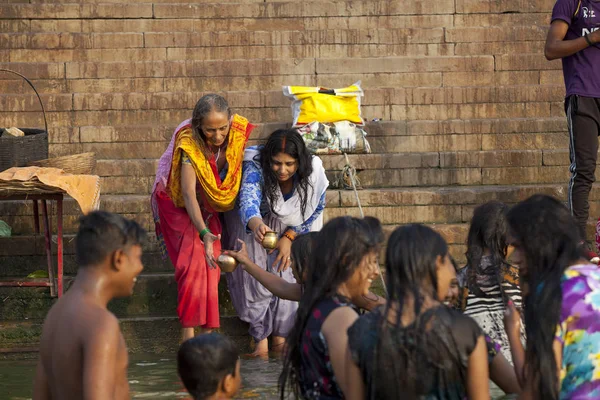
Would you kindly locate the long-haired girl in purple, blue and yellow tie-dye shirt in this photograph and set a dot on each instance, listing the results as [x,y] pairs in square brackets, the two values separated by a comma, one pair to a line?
[561,293]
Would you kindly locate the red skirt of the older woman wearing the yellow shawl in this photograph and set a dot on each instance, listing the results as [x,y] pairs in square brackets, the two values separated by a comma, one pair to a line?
[197,283]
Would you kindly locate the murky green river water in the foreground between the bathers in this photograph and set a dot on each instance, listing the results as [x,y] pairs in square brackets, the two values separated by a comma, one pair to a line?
[154,377]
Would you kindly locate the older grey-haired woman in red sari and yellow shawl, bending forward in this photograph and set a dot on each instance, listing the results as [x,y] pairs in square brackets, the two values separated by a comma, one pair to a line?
[198,178]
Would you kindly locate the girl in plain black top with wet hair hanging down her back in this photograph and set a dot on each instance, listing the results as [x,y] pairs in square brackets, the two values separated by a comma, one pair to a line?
[415,347]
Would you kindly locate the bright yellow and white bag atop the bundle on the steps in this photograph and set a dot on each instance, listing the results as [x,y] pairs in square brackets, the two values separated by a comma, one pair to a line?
[324,105]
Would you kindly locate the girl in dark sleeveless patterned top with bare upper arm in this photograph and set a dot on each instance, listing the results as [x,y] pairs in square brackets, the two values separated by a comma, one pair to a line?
[343,265]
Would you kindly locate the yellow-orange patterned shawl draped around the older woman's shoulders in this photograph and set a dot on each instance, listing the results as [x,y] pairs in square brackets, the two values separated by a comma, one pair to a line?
[220,195]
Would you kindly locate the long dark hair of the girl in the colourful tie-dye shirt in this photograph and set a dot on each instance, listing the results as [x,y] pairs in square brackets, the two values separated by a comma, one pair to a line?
[550,240]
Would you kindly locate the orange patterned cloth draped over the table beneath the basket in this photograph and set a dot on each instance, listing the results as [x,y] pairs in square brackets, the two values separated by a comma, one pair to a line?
[85,189]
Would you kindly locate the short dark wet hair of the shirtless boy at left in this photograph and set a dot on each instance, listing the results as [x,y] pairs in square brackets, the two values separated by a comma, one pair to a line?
[101,233]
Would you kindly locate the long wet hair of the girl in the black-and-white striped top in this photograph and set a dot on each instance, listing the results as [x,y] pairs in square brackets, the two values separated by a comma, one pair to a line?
[488,231]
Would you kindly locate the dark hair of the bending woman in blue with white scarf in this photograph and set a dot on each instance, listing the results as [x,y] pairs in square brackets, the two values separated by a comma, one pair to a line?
[290,142]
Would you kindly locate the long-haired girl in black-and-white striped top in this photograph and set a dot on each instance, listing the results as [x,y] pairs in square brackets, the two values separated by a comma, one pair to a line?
[489,282]
